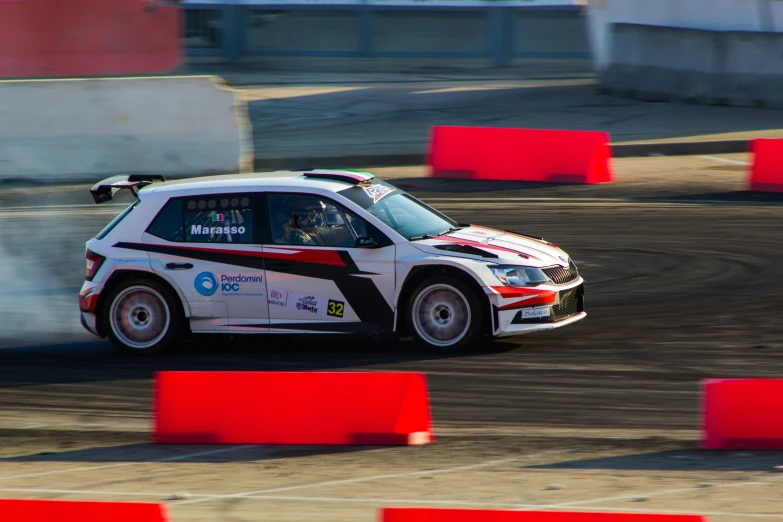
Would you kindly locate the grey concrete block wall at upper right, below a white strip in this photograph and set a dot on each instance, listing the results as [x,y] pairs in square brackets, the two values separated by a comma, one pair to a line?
[668,63]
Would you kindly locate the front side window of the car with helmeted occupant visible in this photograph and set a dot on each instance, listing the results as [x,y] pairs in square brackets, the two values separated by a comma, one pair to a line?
[299,219]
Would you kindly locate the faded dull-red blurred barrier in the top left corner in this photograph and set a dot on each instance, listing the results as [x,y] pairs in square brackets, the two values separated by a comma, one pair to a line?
[61,38]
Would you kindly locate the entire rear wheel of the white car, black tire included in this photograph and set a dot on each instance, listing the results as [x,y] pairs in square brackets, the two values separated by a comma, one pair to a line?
[145,309]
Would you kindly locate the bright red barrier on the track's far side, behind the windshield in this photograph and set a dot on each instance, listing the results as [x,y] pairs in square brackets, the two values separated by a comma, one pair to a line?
[520,154]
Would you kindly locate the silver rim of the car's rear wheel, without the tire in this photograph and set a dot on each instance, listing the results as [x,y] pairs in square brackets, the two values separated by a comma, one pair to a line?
[139,317]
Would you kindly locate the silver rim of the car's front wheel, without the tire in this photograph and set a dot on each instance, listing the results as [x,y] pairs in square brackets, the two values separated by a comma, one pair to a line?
[441,315]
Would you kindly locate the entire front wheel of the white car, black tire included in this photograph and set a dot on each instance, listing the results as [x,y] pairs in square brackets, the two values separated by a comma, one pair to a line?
[435,315]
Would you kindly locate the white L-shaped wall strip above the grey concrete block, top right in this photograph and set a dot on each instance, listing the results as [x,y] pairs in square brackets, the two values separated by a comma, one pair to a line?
[721,15]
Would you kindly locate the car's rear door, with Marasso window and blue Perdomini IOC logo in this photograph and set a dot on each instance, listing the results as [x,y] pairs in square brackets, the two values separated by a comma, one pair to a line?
[206,247]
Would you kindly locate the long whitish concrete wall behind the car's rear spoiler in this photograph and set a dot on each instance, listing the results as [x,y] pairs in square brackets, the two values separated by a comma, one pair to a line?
[86,130]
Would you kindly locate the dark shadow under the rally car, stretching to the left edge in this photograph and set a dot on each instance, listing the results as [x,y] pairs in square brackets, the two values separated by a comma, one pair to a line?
[86,362]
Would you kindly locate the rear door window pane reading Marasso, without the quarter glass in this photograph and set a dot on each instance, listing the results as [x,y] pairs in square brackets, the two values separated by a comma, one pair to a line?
[216,218]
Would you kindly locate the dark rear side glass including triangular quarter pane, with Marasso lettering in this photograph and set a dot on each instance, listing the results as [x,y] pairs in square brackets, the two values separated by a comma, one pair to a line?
[213,218]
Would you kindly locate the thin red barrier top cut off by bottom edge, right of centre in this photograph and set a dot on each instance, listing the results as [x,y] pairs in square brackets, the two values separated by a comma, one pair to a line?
[496,515]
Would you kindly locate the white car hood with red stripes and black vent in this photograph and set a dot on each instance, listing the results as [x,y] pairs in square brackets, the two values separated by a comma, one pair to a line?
[497,246]
